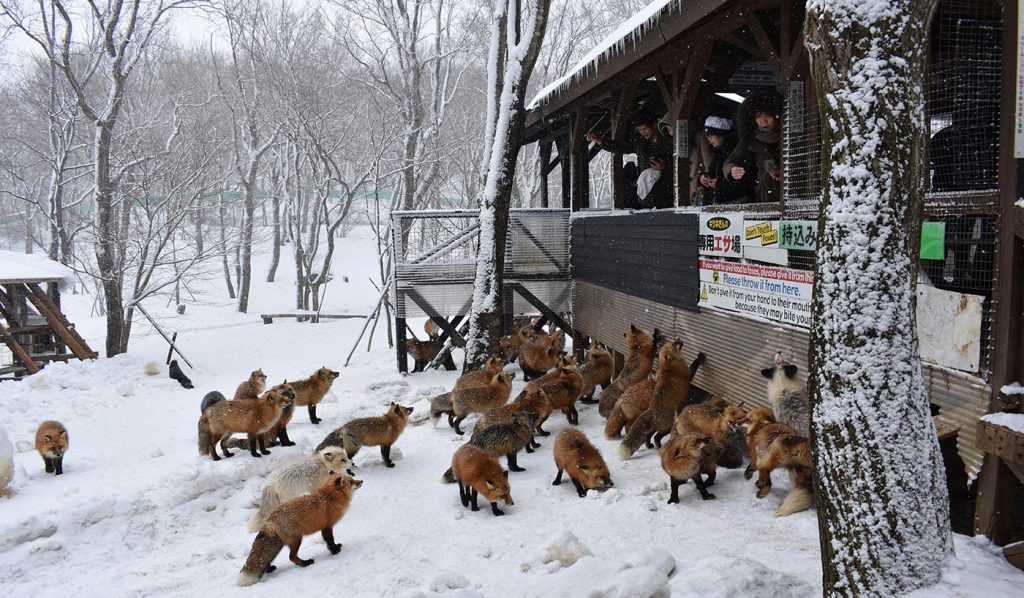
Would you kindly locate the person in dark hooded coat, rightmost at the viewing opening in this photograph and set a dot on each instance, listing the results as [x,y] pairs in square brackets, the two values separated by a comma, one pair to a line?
[757,160]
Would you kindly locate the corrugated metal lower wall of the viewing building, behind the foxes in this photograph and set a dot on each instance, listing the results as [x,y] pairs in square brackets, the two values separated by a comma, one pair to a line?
[739,349]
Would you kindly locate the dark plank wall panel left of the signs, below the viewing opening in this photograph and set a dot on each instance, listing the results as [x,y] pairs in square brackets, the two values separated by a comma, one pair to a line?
[651,255]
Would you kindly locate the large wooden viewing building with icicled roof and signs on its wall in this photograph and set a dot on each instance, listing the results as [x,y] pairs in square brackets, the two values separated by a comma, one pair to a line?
[682,61]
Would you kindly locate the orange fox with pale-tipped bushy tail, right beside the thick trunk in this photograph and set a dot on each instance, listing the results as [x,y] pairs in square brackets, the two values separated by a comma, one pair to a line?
[774,446]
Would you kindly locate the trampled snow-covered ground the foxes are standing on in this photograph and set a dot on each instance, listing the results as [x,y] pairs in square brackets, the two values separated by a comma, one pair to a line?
[140,514]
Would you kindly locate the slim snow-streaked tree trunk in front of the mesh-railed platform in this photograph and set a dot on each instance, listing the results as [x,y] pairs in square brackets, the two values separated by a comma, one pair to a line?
[518,32]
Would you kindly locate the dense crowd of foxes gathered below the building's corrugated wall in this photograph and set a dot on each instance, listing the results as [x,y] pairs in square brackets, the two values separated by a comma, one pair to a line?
[654,411]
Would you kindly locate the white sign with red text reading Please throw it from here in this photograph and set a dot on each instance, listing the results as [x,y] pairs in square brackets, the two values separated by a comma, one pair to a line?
[774,293]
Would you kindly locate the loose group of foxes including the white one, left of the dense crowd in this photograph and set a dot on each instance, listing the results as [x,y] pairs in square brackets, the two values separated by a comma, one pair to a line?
[305,497]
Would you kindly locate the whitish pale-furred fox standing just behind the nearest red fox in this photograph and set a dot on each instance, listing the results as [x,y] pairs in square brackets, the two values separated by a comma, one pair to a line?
[300,478]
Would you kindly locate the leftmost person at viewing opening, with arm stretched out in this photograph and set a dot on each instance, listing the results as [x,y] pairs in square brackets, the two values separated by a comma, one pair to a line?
[649,184]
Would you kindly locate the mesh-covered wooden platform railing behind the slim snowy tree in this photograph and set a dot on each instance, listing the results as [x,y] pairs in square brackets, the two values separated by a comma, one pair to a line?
[437,251]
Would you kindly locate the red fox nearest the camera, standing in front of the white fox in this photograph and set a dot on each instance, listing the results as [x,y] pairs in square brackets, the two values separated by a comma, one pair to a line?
[303,517]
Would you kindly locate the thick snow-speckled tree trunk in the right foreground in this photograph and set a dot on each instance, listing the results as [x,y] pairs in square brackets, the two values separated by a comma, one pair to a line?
[884,508]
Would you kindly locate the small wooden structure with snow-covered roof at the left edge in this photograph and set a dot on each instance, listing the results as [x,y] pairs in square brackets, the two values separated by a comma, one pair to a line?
[32,325]
